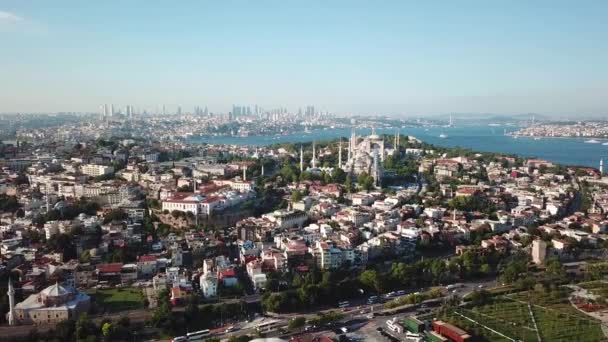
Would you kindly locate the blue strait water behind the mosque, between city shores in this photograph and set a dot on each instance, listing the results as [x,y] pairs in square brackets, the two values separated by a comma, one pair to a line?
[570,151]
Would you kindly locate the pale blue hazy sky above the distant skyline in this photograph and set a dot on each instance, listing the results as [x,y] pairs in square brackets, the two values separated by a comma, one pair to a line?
[401,58]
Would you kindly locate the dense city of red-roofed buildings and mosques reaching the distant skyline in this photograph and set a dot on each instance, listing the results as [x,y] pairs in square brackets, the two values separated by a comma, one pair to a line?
[106,230]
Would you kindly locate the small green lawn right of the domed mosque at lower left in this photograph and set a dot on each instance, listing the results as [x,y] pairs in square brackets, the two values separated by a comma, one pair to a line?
[121,299]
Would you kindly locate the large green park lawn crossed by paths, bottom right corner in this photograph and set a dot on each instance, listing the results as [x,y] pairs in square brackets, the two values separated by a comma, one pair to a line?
[556,319]
